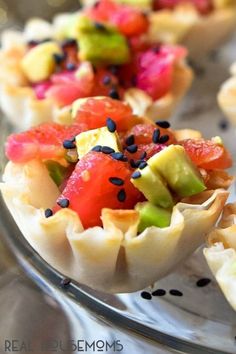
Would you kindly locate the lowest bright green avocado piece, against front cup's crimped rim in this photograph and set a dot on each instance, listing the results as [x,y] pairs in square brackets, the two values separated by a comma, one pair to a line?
[152,215]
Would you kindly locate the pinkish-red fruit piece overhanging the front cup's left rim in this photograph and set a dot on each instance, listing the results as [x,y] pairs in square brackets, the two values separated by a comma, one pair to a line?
[43,142]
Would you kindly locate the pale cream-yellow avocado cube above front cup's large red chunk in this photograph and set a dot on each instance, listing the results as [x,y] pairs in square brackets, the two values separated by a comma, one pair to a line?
[101,136]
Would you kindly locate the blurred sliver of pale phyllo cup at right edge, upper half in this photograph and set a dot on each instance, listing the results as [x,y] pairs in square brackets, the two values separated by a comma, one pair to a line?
[227,96]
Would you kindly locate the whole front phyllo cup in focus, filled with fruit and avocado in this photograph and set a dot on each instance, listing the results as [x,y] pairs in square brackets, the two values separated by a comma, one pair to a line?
[114,201]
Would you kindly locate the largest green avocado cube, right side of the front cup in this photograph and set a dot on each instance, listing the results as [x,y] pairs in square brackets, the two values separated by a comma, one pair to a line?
[177,169]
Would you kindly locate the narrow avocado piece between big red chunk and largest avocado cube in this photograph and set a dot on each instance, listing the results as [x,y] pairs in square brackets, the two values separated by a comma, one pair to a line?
[152,185]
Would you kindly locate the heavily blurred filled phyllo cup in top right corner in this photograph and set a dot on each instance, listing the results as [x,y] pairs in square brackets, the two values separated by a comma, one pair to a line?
[188,22]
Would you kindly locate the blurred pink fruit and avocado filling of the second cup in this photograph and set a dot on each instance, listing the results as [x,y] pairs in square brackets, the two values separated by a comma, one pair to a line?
[100,51]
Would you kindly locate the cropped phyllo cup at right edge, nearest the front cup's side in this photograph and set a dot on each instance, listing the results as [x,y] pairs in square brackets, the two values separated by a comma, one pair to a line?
[221,253]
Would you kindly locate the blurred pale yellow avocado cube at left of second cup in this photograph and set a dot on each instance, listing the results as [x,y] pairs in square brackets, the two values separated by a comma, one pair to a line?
[39,63]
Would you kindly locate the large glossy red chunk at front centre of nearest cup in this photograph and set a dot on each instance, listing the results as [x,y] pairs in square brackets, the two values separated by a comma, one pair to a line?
[89,189]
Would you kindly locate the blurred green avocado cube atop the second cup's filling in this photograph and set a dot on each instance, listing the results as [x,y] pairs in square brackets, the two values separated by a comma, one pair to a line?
[104,47]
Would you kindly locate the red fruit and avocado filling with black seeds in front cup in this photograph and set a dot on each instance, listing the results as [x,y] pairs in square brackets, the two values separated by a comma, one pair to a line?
[110,158]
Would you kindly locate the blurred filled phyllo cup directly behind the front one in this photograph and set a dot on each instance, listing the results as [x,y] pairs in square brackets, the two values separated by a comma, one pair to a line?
[98,51]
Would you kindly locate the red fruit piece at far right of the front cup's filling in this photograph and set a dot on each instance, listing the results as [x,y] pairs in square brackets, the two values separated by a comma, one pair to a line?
[207,154]
